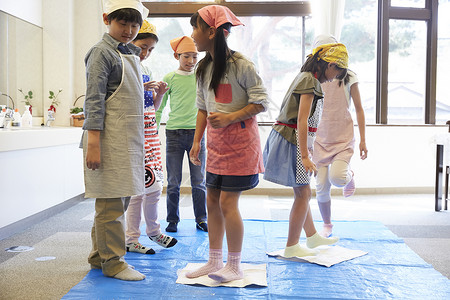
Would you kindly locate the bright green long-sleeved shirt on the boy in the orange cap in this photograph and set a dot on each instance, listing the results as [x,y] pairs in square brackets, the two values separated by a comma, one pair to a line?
[181,96]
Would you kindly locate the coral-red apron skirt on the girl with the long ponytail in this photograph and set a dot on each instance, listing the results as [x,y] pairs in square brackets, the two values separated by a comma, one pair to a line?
[234,150]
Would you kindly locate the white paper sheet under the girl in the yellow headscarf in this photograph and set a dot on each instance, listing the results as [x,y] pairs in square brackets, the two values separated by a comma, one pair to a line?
[327,256]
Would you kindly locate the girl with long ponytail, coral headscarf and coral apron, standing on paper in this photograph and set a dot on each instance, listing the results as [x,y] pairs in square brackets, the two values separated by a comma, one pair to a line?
[230,94]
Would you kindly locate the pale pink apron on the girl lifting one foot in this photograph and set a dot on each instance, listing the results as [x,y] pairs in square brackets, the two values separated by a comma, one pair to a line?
[334,137]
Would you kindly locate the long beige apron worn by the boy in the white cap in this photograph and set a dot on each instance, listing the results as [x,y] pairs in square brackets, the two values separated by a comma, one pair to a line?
[121,171]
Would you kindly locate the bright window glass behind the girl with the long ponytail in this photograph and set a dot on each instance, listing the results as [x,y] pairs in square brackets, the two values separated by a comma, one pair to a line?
[274,43]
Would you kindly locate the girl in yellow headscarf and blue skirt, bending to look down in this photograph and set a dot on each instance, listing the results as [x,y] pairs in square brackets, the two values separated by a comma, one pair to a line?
[287,154]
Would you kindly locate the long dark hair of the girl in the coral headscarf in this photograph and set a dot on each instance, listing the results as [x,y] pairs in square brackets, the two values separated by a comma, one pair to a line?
[221,52]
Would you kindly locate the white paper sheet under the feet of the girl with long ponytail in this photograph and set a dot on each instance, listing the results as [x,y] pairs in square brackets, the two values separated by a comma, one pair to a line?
[253,275]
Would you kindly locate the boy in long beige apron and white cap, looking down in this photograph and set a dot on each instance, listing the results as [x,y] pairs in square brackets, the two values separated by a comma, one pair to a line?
[113,146]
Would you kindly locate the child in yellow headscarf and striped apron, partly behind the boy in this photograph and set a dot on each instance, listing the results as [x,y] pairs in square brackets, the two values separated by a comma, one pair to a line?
[146,40]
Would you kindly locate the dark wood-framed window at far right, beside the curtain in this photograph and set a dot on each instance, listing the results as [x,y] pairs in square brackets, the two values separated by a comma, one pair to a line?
[407,48]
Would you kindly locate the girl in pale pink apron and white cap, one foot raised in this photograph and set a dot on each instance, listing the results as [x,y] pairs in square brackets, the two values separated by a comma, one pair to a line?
[333,147]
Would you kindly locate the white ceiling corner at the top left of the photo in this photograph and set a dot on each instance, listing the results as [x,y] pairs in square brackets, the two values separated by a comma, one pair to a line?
[27,10]
